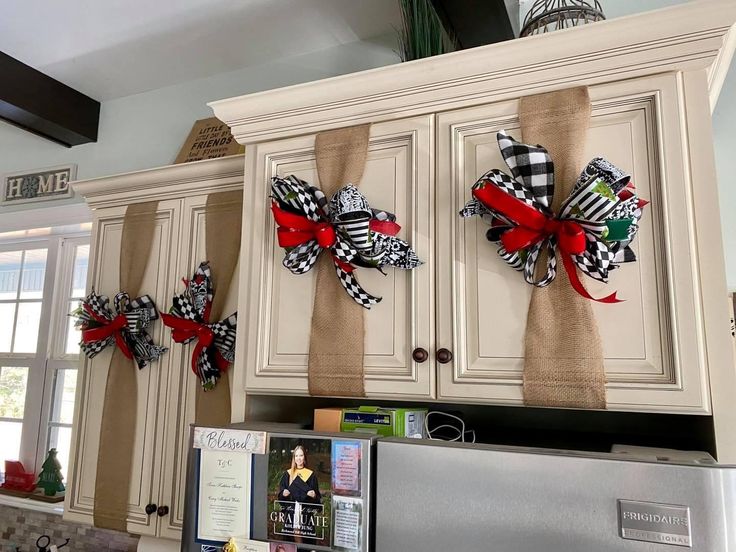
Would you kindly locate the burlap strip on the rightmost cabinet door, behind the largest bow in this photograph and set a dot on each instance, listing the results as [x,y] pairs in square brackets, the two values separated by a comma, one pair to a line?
[564,355]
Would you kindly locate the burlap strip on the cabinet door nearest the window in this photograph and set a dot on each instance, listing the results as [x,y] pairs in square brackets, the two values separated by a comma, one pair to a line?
[118,425]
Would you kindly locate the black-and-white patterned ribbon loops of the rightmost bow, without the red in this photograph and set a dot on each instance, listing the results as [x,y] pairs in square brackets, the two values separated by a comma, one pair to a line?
[601,194]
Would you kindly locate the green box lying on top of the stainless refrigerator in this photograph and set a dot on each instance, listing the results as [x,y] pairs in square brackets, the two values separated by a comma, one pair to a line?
[389,422]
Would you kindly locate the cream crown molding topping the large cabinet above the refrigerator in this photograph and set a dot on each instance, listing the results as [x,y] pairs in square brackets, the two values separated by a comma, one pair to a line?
[693,36]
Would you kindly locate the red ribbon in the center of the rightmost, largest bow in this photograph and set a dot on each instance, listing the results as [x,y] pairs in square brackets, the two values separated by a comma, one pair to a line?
[534,226]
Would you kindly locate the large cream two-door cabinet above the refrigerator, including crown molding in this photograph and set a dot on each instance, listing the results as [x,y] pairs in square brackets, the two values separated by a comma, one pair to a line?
[653,79]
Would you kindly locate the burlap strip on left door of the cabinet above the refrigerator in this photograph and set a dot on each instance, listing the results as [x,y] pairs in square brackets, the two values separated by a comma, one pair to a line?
[337,334]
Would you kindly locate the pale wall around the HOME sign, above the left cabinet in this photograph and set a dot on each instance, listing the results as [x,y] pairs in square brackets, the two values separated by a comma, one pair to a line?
[146,130]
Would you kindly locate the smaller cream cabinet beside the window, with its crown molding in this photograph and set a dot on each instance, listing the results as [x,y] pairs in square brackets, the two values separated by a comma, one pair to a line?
[166,388]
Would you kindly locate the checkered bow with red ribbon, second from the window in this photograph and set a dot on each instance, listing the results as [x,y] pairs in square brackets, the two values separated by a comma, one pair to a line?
[189,318]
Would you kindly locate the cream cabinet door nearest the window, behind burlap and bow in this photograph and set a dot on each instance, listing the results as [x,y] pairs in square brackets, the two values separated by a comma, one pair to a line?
[148,446]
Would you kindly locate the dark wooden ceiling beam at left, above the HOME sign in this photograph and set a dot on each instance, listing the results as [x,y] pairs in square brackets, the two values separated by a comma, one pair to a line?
[44,106]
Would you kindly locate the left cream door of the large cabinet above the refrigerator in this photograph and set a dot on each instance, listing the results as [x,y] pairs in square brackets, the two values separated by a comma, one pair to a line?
[275,307]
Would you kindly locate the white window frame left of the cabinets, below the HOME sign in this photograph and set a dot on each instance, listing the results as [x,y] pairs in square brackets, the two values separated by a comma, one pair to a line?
[50,354]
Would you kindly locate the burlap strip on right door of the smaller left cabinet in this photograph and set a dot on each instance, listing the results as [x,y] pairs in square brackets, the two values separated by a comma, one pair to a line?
[223,219]
